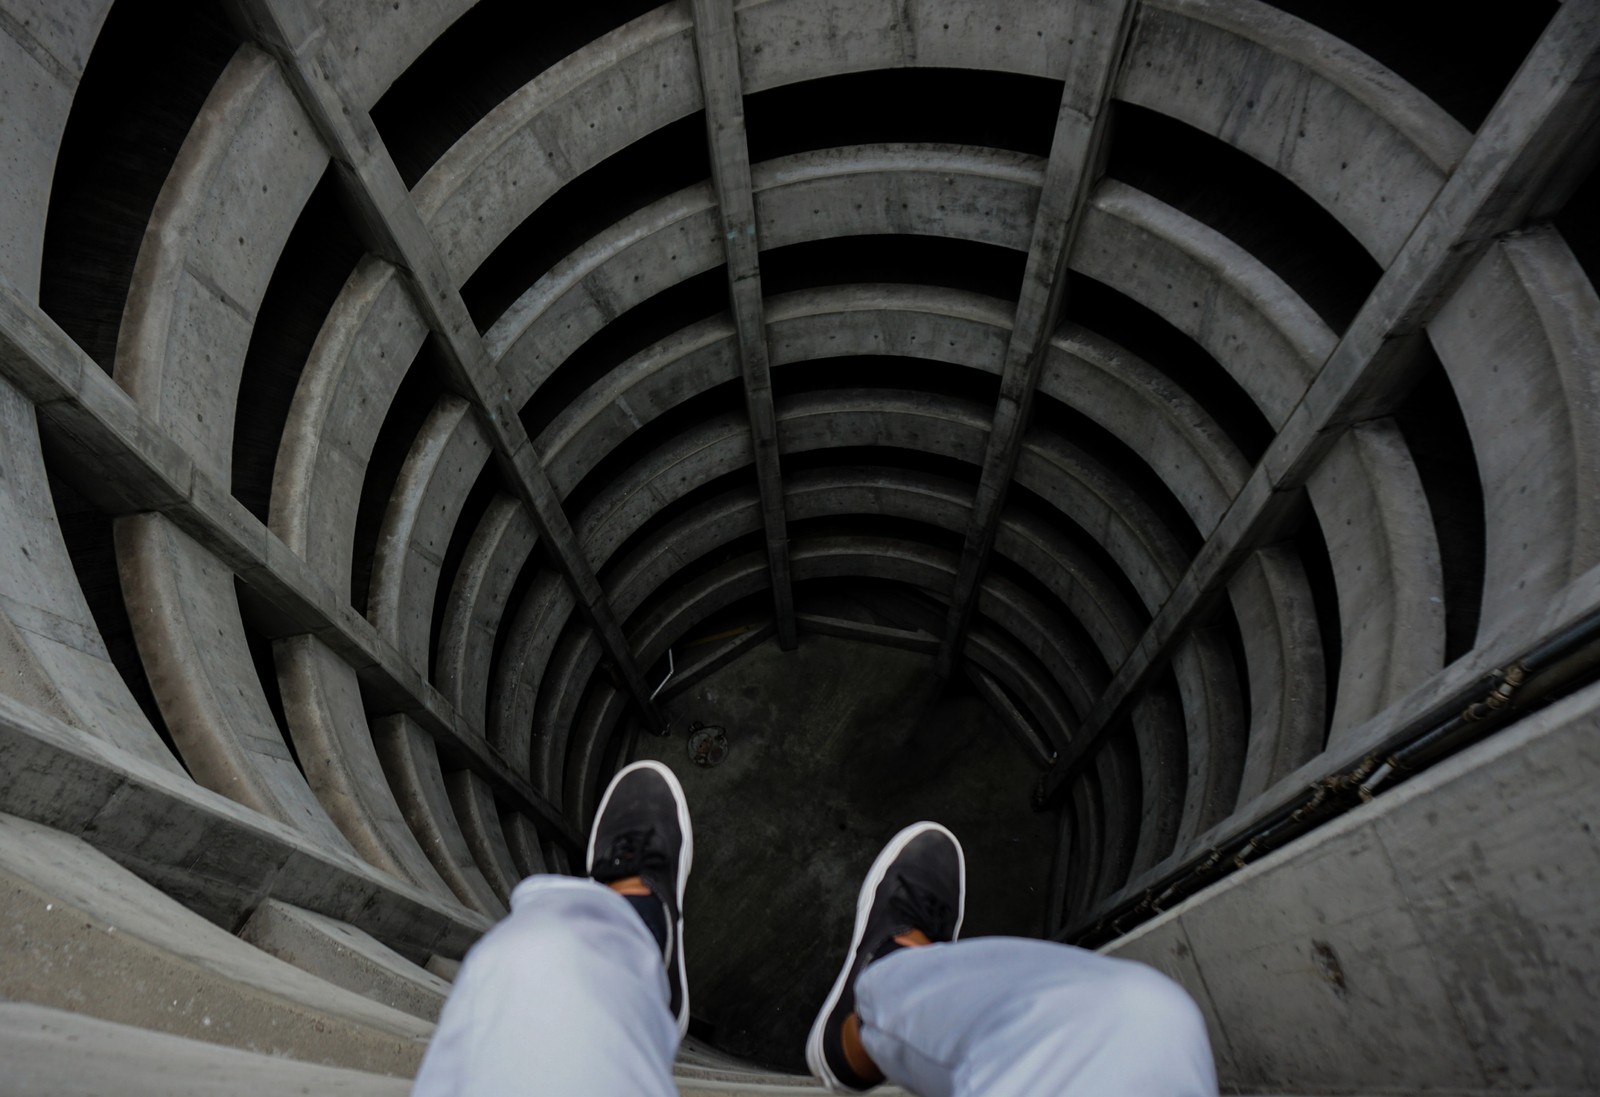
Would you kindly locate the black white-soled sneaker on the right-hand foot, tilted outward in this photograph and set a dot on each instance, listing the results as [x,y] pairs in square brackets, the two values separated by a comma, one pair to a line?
[919,882]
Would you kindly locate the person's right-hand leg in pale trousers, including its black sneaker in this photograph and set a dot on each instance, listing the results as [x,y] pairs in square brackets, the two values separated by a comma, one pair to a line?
[994,1016]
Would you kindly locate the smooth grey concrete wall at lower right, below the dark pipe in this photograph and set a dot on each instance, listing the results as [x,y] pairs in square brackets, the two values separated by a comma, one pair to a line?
[1436,939]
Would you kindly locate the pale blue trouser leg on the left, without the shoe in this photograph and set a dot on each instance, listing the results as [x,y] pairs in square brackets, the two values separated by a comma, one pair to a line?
[566,995]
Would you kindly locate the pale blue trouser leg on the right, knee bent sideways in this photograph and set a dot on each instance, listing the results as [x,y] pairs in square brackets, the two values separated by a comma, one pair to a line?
[1012,1018]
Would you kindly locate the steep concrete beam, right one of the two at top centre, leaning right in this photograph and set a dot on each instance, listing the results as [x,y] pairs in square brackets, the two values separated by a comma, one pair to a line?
[1097,36]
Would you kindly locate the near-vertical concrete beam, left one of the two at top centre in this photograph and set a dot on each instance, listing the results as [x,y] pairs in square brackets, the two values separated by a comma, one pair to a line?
[718,47]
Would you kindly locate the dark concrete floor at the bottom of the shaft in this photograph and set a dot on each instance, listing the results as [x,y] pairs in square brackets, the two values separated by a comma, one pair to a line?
[833,749]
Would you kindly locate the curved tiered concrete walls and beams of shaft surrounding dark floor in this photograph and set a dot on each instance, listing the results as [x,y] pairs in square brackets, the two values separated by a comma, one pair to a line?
[396,394]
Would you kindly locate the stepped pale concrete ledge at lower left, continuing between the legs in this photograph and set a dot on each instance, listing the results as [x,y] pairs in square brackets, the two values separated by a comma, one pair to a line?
[127,992]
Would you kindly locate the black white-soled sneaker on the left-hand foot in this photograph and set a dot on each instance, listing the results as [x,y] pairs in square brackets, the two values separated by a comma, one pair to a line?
[642,829]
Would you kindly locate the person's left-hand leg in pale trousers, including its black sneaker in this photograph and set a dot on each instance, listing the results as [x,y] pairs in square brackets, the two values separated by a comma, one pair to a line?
[582,987]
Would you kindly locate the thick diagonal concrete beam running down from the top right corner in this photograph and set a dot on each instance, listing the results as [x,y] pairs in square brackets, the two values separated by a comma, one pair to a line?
[1527,159]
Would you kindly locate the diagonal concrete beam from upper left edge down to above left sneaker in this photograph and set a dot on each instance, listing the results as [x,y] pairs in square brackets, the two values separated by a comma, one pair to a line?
[295,34]
